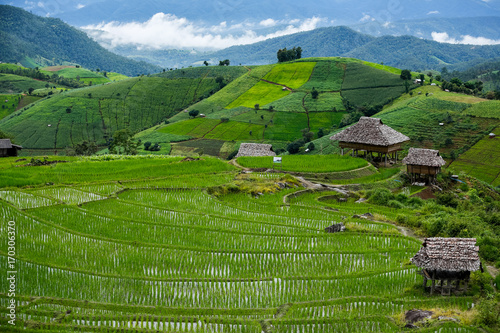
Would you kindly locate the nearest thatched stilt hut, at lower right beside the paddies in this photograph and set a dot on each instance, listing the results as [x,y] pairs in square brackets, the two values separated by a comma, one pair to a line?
[448,261]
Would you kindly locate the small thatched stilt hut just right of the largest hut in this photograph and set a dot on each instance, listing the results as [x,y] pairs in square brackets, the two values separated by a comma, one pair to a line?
[423,163]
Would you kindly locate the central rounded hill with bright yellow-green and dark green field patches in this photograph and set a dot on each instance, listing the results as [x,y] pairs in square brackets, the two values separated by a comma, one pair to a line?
[274,103]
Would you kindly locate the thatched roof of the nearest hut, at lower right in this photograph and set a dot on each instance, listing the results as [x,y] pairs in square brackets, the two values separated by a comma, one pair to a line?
[448,254]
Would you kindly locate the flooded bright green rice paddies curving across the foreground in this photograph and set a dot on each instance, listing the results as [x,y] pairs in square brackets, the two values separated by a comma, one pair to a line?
[152,251]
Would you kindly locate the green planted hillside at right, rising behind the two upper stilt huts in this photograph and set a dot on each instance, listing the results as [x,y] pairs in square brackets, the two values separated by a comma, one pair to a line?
[435,119]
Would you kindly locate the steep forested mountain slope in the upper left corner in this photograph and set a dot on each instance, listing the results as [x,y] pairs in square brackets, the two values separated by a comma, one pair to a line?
[32,40]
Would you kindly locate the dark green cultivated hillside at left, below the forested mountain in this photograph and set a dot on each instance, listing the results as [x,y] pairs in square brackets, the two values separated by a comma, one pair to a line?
[95,113]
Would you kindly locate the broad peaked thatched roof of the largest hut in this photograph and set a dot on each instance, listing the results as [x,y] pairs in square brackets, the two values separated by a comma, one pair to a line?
[370,131]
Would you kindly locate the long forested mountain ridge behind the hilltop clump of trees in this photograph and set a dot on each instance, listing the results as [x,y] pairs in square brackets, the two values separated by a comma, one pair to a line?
[401,51]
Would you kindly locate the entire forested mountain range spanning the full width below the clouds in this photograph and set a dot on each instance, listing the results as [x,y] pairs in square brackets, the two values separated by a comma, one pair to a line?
[32,40]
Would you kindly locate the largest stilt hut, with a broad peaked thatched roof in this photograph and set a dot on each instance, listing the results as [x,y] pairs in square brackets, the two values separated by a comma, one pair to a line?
[371,135]
